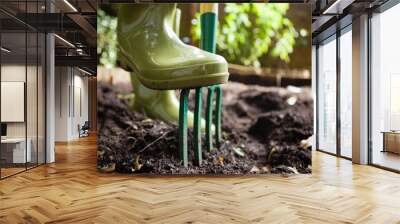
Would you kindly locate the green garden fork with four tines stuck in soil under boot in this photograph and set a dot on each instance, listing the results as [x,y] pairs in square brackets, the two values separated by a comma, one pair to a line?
[208,22]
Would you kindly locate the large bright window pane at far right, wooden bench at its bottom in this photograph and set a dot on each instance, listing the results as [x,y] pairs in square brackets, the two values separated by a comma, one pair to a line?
[386,89]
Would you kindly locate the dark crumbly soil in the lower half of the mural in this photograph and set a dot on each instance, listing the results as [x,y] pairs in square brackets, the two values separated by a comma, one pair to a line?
[270,125]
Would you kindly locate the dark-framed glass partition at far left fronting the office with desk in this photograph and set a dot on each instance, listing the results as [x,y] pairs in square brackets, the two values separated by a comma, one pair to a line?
[22,88]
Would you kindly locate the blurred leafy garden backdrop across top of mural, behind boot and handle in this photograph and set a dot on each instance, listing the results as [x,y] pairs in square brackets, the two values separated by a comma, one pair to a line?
[258,35]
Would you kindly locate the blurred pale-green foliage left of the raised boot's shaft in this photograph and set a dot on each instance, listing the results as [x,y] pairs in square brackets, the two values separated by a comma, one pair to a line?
[106,38]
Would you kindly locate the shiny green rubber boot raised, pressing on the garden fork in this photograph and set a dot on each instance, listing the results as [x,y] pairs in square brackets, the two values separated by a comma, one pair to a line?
[151,49]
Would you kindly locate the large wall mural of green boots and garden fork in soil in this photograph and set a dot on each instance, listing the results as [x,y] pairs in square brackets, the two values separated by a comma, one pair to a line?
[165,105]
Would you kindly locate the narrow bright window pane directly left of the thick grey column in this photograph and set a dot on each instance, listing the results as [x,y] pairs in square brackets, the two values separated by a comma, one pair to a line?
[346,94]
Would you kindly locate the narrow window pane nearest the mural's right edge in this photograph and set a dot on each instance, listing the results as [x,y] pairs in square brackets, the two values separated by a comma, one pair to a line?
[327,96]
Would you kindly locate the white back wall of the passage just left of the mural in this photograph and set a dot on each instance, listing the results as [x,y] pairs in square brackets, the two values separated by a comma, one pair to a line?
[70,83]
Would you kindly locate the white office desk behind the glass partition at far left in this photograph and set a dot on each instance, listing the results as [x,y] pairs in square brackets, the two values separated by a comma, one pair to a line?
[13,150]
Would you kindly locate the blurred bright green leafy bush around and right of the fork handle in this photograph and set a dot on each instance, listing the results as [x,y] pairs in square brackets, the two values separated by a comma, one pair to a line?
[248,31]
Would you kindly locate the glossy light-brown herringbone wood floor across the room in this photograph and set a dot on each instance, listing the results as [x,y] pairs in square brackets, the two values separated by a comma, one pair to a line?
[72,191]
